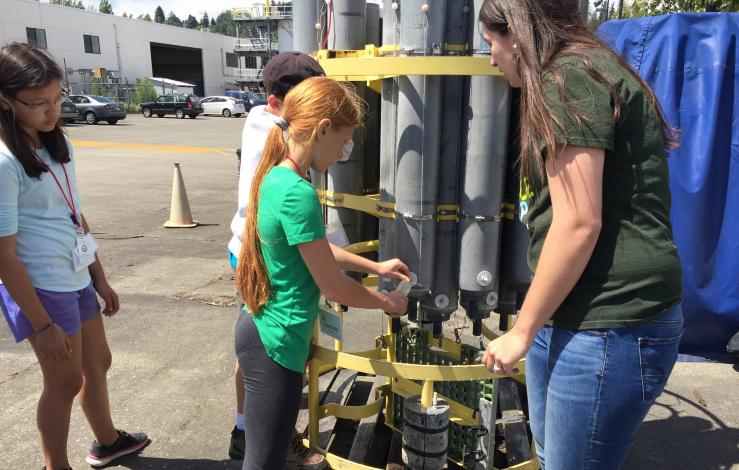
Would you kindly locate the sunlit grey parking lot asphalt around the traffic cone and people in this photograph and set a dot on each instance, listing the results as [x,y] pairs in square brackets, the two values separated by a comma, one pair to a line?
[172,341]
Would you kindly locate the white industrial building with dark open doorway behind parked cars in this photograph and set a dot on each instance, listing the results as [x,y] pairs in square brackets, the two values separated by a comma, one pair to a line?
[88,43]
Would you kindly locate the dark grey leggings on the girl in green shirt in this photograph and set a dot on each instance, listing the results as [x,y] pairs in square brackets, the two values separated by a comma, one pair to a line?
[272,401]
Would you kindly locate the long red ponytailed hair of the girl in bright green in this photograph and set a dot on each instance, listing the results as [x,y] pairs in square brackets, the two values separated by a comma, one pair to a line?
[305,105]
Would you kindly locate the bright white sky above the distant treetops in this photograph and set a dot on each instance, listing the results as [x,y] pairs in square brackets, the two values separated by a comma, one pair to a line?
[181,8]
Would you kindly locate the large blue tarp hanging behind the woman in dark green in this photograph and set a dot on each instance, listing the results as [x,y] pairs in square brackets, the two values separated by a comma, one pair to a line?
[691,62]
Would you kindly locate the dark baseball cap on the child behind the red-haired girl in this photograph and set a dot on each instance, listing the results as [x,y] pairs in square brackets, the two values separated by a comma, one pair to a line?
[287,69]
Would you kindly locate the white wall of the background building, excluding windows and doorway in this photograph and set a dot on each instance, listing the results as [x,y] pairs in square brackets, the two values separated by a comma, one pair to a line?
[65,28]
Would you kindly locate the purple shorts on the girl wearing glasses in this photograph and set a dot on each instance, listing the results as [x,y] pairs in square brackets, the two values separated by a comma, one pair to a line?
[66,309]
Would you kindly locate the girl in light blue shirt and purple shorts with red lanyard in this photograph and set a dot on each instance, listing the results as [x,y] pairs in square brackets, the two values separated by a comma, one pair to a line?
[49,270]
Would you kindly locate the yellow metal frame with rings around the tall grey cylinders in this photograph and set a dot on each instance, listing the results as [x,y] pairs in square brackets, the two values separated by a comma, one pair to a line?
[389,62]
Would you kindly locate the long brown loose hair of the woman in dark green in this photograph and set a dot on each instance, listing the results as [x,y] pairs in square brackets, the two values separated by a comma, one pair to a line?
[546,30]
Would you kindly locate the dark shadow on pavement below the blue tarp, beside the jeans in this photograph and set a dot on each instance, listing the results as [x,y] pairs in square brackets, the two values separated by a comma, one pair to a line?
[684,442]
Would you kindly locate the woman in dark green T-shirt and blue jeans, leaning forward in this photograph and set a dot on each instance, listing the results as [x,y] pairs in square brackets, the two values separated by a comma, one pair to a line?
[602,321]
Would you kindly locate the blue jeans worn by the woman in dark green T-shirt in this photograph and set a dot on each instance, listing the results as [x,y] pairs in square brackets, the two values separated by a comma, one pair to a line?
[589,390]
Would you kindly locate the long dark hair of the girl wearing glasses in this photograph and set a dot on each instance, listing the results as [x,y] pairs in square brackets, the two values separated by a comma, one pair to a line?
[21,67]
